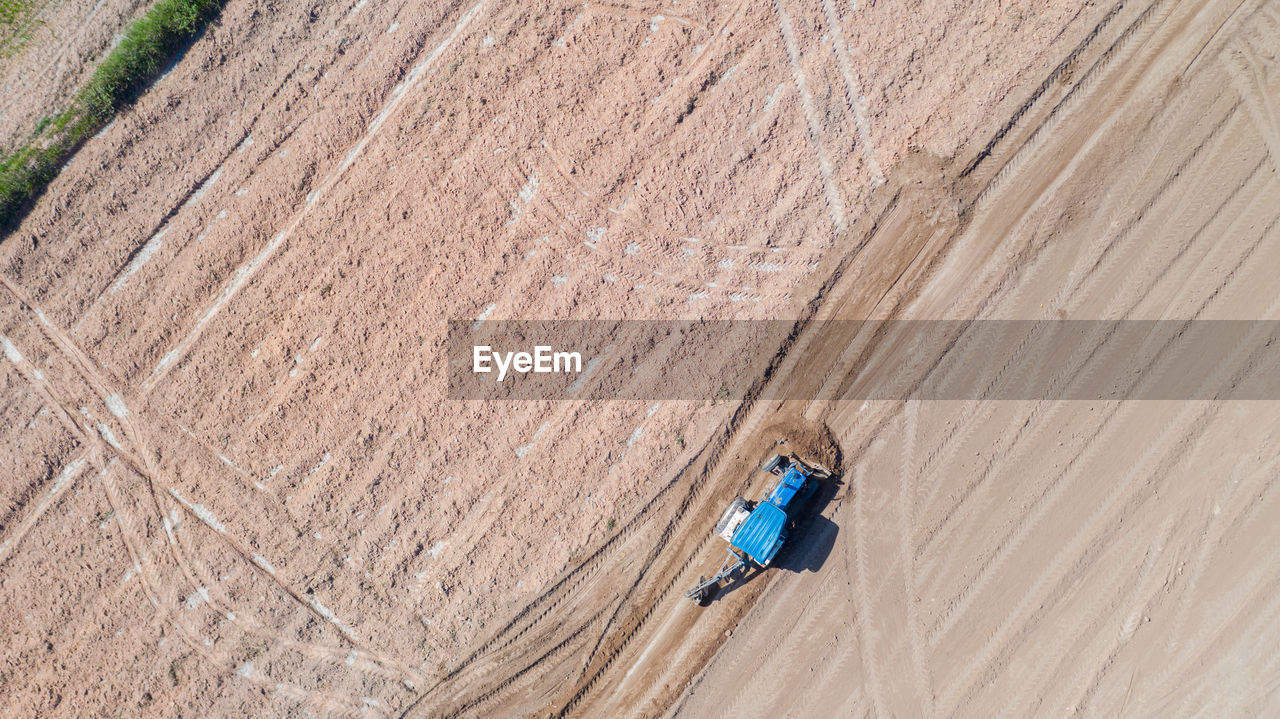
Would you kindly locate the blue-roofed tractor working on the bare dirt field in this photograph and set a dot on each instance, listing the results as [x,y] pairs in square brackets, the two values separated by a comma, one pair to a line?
[756,532]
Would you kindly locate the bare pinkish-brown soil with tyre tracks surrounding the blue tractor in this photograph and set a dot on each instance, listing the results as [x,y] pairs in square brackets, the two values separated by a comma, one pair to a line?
[239,488]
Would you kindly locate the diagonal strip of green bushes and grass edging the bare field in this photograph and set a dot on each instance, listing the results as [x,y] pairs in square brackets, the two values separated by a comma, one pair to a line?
[147,48]
